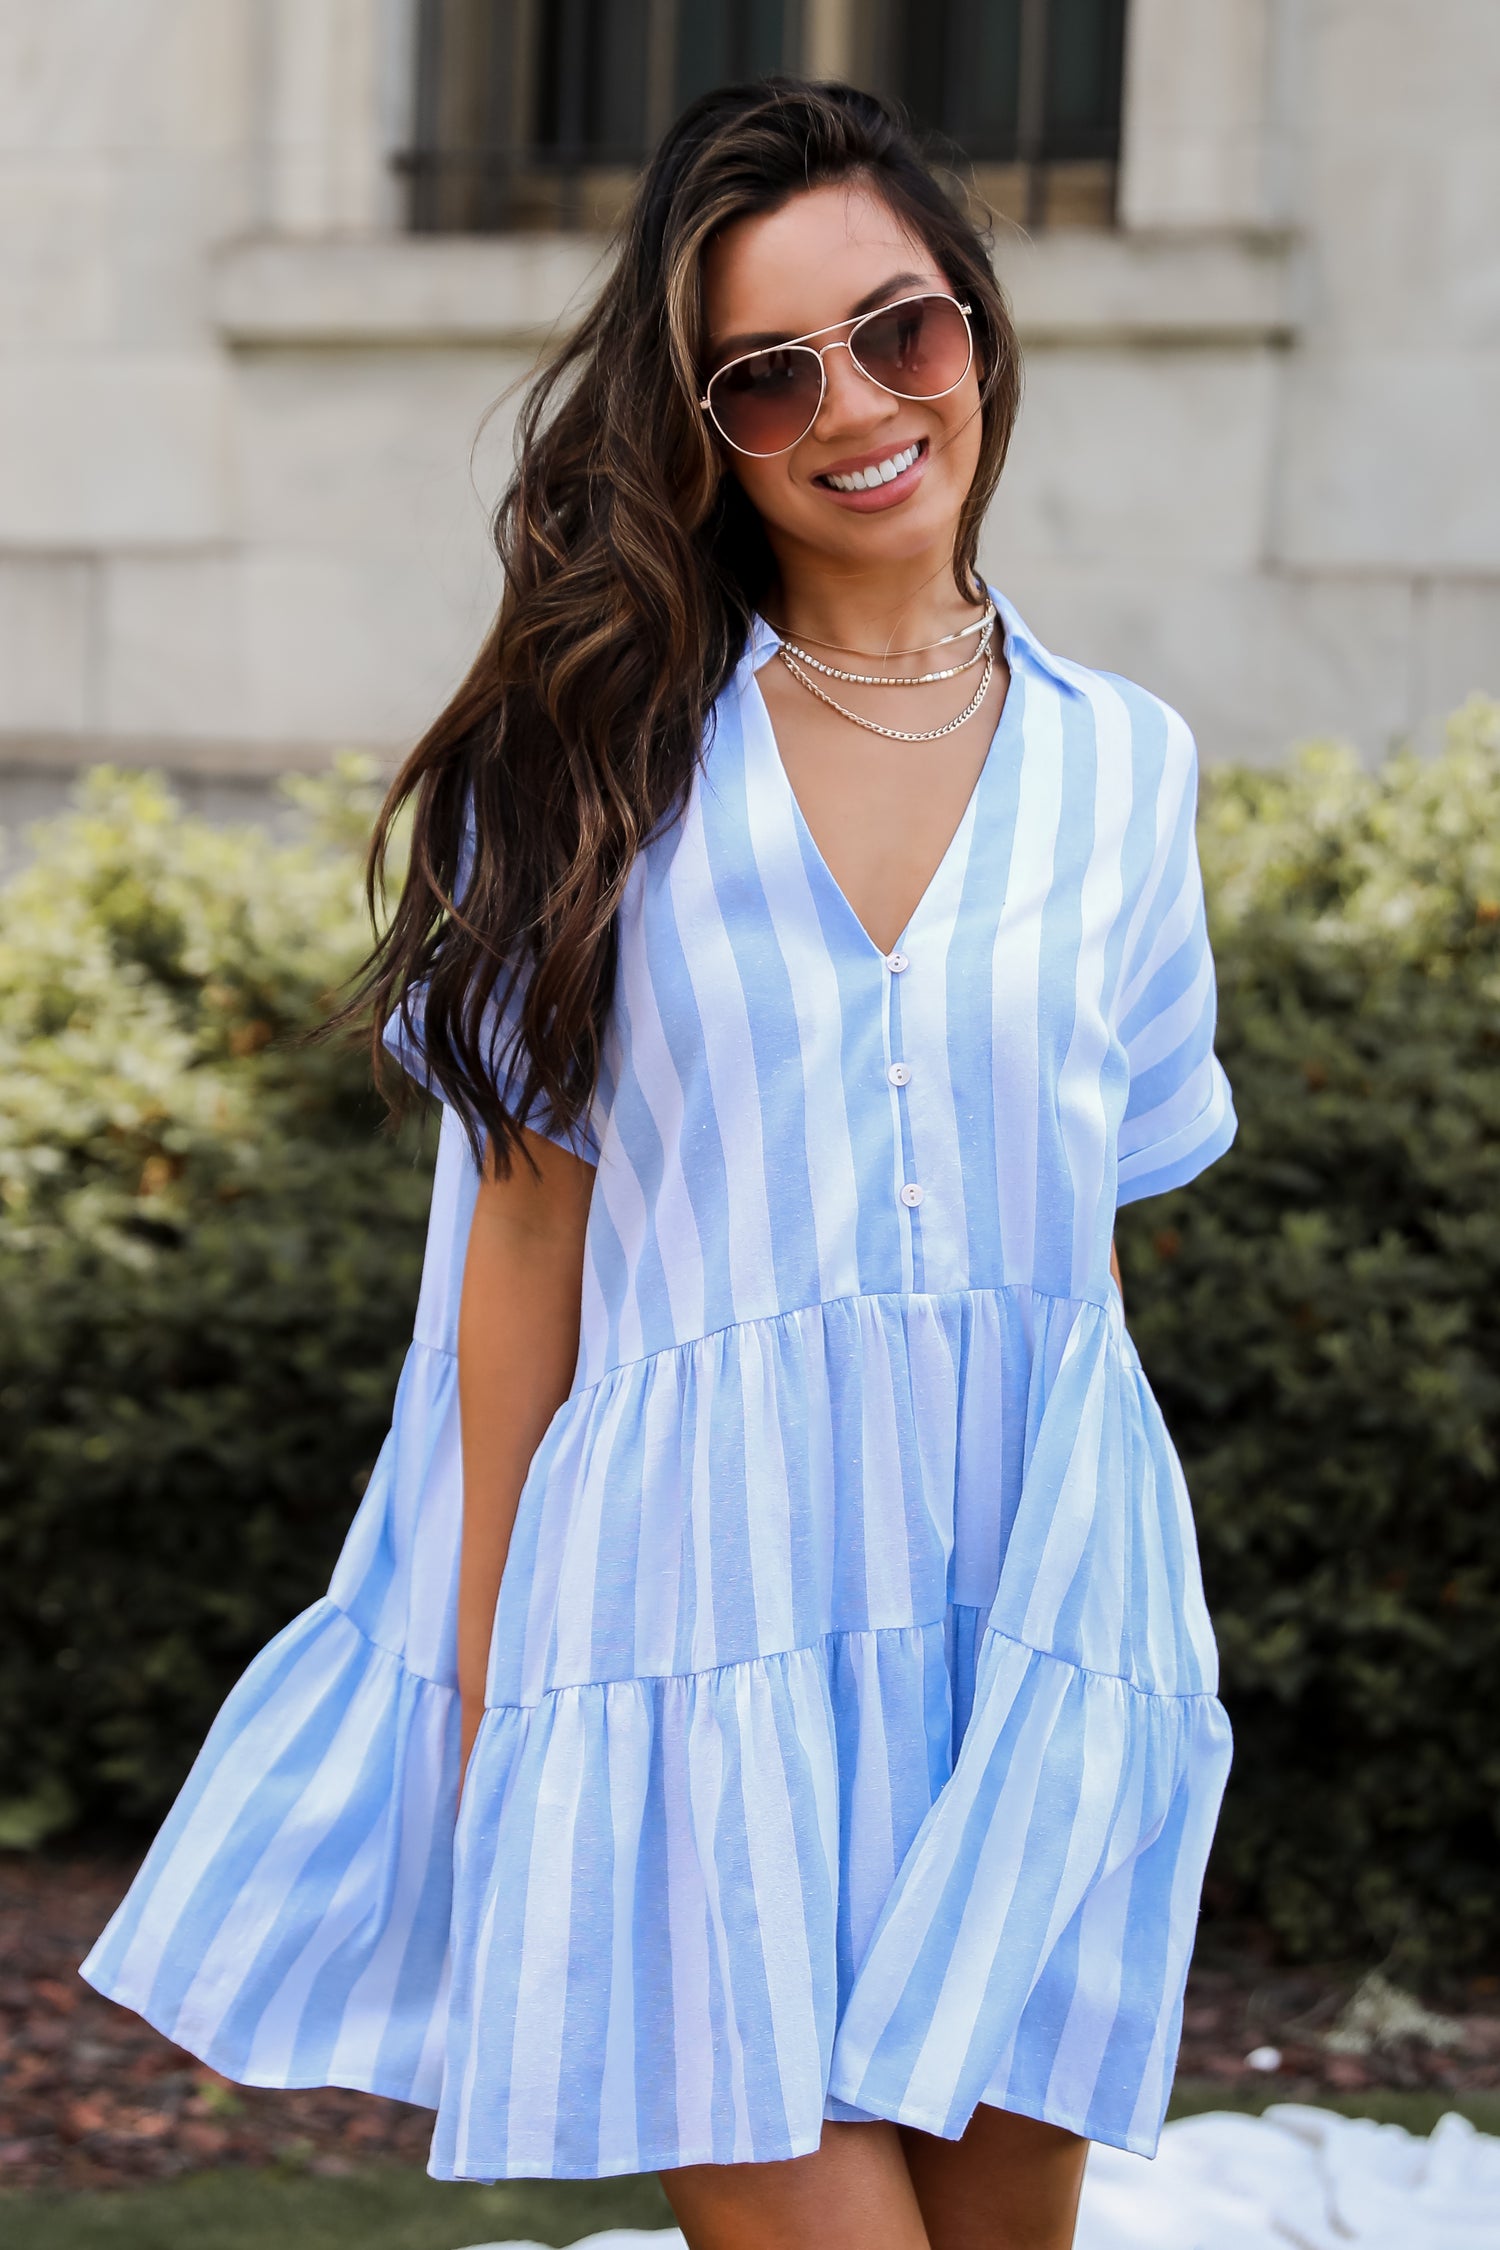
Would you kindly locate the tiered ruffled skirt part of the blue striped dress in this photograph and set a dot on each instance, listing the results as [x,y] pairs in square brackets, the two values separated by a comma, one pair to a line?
[851,1752]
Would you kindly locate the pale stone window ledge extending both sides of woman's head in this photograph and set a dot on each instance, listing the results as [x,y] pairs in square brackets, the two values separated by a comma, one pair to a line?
[512,291]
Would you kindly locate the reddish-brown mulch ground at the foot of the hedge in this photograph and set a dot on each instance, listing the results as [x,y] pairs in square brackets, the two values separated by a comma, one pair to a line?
[96,2098]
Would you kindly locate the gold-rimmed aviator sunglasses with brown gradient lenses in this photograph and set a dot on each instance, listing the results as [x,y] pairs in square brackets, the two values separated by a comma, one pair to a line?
[766,402]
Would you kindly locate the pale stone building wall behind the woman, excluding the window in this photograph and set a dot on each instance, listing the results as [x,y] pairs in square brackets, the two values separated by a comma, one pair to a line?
[249,431]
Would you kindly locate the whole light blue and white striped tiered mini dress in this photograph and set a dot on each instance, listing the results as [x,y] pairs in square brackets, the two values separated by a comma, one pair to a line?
[851,1738]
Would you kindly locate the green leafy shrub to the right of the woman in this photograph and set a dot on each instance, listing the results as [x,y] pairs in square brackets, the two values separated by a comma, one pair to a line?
[1321,1322]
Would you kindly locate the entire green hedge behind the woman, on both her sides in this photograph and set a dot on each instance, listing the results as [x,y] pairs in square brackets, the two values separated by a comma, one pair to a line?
[210,1259]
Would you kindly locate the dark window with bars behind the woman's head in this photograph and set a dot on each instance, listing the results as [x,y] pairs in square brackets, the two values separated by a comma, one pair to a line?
[541,111]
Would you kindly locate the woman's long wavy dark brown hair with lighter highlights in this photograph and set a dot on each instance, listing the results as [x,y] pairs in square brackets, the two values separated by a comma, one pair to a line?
[633,566]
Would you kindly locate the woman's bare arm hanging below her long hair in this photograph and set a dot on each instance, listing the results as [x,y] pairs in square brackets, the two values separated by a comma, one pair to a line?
[518,1342]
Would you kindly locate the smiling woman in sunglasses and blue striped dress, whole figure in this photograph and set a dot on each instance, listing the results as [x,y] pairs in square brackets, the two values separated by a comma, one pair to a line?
[808,966]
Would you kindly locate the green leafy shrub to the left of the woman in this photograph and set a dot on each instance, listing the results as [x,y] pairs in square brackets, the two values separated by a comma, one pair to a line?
[208,1270]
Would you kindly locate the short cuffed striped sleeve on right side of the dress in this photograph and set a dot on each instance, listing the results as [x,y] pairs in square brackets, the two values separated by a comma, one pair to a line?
[1180,1113]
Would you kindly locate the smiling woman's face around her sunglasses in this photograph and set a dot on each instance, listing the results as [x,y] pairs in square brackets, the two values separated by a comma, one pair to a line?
[804,271]
